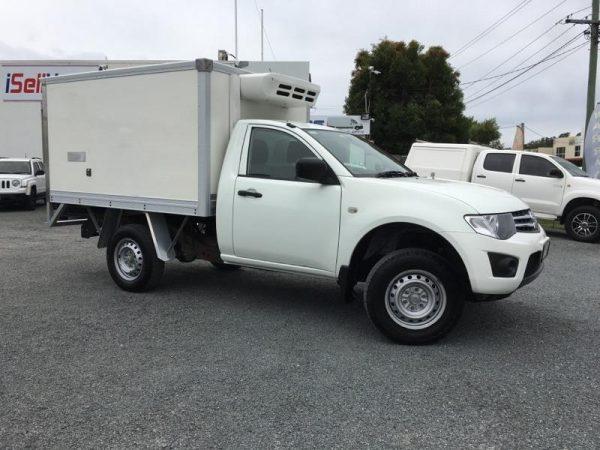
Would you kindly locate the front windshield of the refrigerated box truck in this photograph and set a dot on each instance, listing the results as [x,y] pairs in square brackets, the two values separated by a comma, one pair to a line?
[361,158]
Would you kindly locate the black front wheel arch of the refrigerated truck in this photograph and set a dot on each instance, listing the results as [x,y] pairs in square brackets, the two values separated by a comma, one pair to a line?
[390,237]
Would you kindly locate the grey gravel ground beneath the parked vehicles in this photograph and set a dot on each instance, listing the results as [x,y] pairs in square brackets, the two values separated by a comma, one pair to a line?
[258,359]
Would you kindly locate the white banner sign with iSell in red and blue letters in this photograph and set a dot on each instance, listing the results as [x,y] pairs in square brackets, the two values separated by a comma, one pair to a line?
[22,83]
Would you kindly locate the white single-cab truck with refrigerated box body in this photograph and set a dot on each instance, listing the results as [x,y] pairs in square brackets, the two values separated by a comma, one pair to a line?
[201,160]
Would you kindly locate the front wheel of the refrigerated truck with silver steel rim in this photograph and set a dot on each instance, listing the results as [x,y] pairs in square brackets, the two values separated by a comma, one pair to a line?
[406,271]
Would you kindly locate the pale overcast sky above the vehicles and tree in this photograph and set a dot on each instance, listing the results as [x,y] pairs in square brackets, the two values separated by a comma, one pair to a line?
[328,34]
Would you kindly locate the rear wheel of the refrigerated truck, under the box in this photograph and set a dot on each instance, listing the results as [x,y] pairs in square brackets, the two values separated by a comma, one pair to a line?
[135,239]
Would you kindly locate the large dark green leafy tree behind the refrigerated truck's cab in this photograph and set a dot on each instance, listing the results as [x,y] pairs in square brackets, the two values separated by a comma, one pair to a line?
[416,95]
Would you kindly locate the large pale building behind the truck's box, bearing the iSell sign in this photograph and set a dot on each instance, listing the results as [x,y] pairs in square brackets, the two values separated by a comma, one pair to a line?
[20,94]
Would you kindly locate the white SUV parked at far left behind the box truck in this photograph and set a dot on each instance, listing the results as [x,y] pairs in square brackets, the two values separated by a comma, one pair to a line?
[22,180]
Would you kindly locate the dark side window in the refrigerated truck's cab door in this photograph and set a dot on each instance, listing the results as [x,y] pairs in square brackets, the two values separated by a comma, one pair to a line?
[273,154]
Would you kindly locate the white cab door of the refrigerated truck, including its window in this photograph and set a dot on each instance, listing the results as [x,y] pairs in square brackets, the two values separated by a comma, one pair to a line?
[277,218]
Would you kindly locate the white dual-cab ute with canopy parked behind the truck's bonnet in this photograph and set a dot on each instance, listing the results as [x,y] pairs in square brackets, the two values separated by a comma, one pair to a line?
[553,187]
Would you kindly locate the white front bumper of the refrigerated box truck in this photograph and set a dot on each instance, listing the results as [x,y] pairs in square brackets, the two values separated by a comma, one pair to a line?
[530,249]
